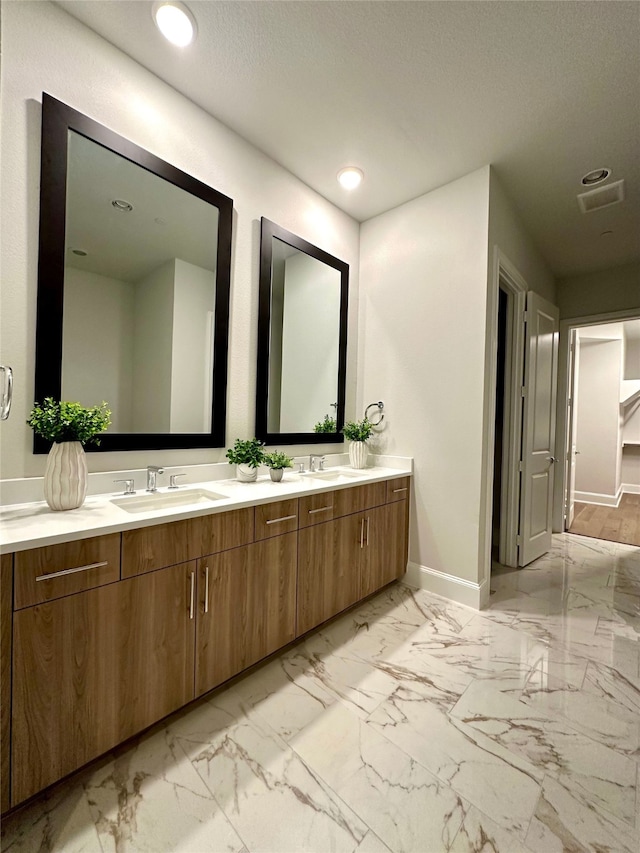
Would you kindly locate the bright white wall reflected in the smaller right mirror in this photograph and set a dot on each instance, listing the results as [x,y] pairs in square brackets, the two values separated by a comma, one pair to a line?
[310,338]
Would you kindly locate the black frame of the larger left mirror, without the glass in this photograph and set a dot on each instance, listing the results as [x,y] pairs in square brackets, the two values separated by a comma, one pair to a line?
[57,120]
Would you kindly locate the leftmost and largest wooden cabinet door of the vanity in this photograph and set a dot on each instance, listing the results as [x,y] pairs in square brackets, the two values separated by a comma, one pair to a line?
[93,668]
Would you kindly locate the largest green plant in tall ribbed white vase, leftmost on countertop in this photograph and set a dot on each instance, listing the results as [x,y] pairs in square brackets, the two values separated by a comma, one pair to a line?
[69,426]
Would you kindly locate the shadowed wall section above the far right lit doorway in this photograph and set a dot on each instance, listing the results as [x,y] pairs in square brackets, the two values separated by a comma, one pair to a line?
[601,292]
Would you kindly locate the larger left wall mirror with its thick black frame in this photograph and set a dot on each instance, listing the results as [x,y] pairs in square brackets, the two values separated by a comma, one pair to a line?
[133,288]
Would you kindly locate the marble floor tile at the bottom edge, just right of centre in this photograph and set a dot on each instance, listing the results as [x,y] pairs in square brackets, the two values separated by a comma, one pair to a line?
[406,806]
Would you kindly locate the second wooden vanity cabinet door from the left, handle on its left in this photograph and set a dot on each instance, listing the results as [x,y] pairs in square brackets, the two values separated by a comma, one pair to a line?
[246,607]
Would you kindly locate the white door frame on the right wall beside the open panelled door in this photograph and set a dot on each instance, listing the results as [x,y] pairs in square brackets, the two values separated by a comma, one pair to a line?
[504,273]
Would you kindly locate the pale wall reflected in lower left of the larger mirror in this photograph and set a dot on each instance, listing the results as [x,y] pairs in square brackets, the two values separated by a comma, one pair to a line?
[97,343]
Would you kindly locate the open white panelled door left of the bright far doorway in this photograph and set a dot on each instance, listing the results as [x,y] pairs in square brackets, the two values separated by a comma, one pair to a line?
[538,428]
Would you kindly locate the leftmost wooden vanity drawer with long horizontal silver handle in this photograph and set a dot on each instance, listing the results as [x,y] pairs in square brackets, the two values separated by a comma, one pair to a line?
[43,574]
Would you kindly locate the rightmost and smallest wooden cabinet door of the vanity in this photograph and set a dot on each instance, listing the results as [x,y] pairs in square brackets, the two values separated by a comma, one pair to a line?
[385,547]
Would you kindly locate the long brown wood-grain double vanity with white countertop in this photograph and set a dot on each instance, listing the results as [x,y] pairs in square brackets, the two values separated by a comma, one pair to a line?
[113,623]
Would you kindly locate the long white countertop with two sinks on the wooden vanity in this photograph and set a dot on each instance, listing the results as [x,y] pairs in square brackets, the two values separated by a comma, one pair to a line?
[31,525]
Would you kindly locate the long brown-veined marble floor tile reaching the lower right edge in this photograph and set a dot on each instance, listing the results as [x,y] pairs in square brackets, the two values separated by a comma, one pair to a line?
[603,776]
